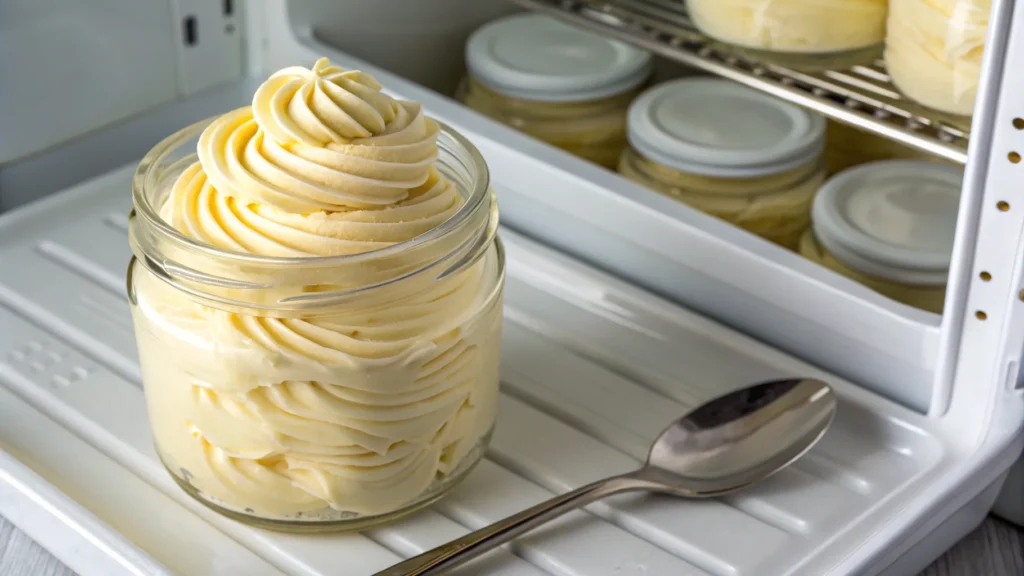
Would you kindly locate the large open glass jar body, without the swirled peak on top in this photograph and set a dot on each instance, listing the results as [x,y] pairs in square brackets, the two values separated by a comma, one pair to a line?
[317,394]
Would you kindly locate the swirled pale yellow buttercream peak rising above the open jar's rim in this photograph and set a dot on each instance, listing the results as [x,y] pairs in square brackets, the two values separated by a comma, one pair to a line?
[323,141]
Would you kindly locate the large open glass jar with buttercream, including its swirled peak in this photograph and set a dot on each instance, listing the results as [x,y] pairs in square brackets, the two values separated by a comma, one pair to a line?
[310,368]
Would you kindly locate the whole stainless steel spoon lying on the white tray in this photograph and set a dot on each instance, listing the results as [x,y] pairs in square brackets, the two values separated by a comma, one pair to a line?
[726,445]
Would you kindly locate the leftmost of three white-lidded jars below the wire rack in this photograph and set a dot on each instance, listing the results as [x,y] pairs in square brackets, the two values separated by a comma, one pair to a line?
[558,84]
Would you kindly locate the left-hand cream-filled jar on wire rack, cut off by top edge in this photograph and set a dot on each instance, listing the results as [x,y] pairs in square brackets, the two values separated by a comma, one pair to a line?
[794,27]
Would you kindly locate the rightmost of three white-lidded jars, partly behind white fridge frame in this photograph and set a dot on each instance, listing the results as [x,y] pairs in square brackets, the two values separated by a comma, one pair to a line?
[890,227]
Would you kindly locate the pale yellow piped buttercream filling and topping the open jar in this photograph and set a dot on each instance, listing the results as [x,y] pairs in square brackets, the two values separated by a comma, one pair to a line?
[359,410]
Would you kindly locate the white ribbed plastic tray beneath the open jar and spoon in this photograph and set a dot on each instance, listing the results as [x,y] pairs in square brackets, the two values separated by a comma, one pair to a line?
[592,369]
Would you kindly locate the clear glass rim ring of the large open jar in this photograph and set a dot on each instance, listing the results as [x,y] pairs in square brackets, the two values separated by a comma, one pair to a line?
[147,177]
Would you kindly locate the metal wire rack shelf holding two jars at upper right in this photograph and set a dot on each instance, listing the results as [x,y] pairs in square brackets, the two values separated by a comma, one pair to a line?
[862,96]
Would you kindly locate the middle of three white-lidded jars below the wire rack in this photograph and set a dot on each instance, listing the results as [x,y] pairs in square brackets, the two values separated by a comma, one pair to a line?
[731,152]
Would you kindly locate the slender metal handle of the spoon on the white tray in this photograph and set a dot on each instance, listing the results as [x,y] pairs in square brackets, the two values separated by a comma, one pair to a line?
[457,553]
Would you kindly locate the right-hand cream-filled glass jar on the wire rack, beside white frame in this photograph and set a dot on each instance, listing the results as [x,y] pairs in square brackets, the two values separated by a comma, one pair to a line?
[934,52]
